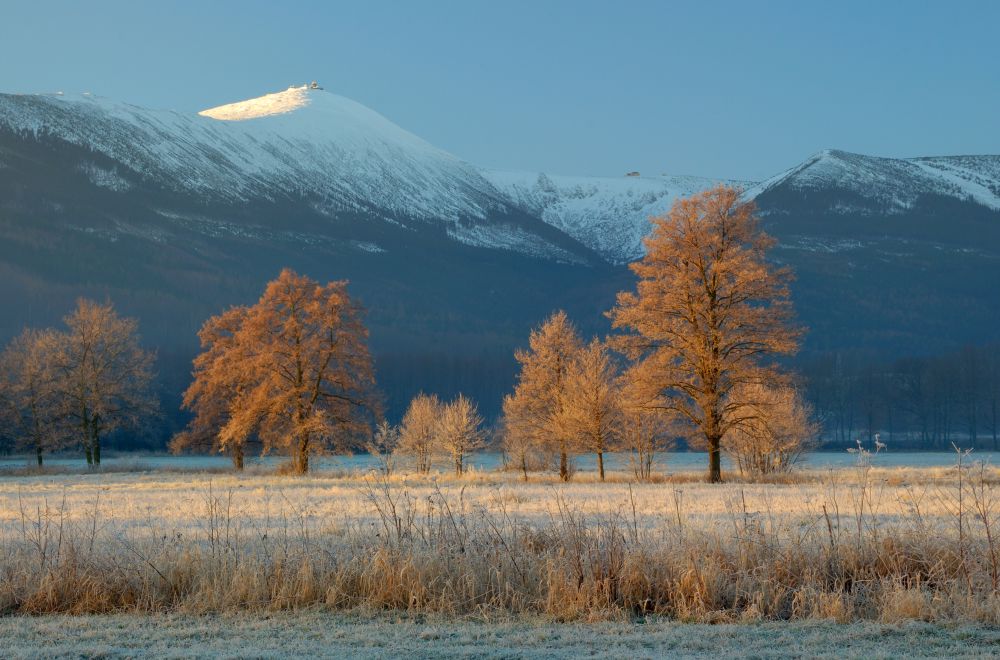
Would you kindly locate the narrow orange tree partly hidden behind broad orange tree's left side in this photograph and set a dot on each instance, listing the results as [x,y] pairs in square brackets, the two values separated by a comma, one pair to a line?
[218,381]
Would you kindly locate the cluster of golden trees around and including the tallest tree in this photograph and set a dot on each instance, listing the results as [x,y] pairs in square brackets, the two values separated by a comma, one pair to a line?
[698,334]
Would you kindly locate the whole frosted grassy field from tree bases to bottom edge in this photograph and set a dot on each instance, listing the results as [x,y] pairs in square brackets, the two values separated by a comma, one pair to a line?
[186,559]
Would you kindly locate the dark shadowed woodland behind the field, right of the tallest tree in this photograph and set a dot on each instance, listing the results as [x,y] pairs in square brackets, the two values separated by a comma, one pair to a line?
[915,402]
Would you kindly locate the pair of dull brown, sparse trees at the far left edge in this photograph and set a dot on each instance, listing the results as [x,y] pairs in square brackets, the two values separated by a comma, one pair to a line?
[71,387]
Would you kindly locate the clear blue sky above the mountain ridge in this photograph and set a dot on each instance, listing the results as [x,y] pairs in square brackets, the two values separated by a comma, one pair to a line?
[729,89]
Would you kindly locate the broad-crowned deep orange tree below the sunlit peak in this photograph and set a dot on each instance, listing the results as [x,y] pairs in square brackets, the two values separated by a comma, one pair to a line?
[293,370]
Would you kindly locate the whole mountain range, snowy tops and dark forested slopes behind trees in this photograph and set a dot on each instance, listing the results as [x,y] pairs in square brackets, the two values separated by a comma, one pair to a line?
[178,214]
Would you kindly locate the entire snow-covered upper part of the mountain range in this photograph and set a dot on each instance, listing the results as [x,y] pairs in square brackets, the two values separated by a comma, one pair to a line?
[340,158]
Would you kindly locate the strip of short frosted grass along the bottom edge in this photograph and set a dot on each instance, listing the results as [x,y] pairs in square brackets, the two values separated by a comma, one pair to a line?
[321,634]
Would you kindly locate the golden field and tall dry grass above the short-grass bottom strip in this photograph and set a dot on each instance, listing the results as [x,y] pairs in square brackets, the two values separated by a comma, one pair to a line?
[853,545]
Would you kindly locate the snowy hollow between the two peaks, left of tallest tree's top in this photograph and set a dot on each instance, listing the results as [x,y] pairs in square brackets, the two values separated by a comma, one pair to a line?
[611,215]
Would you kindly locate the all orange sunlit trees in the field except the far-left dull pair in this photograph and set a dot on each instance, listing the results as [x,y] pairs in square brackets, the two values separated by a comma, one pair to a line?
[698,335]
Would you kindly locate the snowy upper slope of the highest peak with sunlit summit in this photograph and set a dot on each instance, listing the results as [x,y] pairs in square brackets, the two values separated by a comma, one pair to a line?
[297,142]
